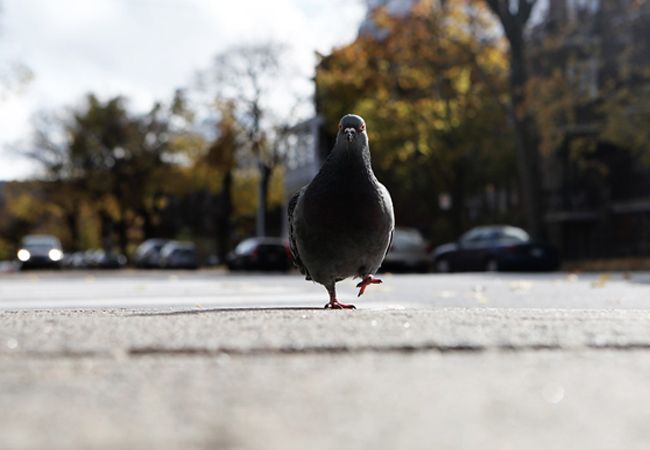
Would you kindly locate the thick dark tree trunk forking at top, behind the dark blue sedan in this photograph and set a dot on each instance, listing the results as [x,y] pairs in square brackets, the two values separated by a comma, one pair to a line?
[514,16]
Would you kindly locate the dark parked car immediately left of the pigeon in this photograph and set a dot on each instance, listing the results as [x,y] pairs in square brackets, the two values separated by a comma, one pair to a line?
[262,253]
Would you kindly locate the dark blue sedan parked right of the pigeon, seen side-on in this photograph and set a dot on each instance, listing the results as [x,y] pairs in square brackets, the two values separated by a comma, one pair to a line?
[495,248]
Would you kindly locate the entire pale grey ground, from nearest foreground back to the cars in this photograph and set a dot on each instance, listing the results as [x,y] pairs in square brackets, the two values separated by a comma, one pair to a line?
[215,361]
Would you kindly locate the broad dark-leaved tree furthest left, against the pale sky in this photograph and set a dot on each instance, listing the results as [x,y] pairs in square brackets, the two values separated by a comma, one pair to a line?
[103,156]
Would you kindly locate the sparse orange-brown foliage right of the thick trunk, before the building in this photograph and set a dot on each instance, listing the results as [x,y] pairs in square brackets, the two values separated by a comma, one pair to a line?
[587,94]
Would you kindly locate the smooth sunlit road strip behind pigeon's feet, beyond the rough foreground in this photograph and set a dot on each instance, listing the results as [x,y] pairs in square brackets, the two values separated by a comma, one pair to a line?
[204,289]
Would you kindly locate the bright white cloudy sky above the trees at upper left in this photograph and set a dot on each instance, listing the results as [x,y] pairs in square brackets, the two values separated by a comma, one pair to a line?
[144,50]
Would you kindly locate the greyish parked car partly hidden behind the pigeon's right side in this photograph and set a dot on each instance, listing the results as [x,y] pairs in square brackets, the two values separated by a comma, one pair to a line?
[408,252]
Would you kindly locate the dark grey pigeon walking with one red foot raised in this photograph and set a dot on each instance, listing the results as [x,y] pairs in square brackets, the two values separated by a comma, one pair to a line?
[341,224]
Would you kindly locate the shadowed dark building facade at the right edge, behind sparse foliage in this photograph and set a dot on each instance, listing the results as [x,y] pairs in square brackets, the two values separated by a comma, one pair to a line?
[597,188]
